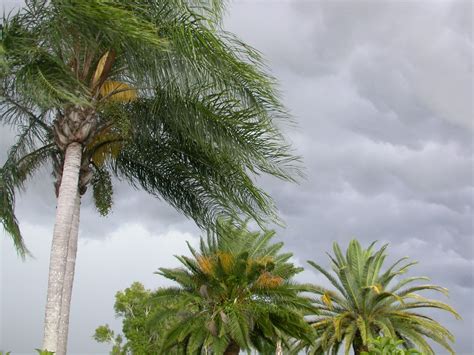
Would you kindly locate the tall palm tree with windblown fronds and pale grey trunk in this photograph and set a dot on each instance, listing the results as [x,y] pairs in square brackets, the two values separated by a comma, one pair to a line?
[151,91]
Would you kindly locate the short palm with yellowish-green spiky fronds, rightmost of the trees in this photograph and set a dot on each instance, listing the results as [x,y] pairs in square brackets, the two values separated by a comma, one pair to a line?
[368,303]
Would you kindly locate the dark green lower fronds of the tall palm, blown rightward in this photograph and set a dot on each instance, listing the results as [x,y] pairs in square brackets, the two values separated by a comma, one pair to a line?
[198,153]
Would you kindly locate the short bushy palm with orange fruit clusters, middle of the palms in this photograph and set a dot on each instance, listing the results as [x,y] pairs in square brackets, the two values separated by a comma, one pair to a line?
[235,293]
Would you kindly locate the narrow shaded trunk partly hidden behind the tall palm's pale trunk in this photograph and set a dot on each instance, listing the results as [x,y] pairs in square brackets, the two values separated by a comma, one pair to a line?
[69,280]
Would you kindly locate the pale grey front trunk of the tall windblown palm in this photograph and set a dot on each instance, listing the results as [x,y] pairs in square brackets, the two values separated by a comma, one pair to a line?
[66,203]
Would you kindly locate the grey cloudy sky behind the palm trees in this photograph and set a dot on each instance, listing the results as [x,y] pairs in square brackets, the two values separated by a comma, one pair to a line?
[382,93]
